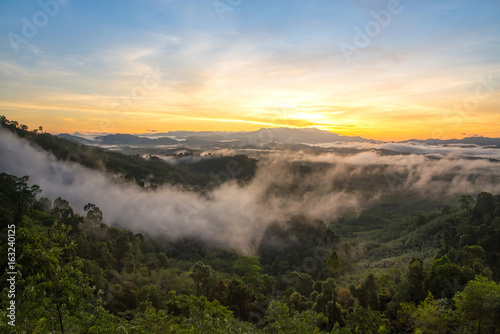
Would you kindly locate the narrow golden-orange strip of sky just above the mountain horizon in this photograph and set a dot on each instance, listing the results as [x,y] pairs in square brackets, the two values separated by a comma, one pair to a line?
[398,122]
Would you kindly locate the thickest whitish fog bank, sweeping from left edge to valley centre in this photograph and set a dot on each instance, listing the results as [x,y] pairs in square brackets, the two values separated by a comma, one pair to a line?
[232,216]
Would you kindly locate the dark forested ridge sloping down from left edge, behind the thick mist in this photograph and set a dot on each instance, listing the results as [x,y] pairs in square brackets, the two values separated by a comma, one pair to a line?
[150,172]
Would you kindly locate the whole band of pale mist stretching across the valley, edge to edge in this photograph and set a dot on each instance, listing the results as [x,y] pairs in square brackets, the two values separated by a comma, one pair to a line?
[325,186]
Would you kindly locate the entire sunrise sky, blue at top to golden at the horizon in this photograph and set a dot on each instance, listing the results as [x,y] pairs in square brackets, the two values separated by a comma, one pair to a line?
[389,70]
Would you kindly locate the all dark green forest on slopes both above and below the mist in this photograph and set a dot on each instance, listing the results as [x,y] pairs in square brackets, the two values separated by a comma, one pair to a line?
[405,265]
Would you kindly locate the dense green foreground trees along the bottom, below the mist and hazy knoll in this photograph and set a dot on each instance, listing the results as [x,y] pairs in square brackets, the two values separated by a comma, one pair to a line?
[78,275]
